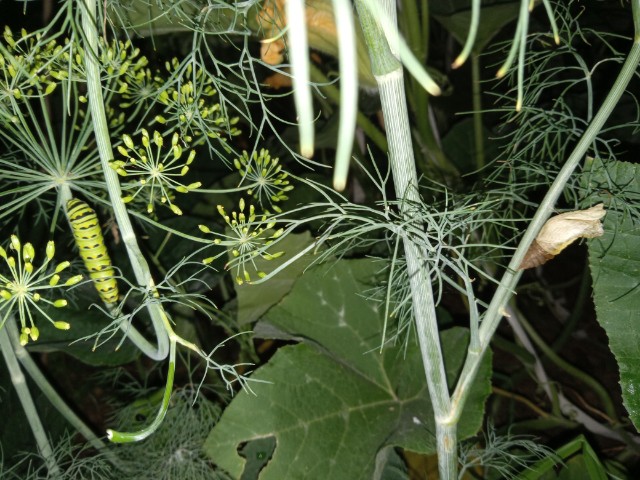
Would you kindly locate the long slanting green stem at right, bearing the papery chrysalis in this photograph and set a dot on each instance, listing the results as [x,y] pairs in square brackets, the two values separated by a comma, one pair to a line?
[510,278]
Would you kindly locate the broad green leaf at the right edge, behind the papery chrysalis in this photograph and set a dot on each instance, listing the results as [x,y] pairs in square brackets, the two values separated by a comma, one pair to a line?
[614,260]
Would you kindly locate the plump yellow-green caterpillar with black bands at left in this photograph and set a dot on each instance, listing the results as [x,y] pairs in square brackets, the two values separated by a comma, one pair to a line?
[86,230]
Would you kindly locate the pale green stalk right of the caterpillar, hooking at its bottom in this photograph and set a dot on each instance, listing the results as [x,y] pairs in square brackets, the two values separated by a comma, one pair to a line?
[101,129]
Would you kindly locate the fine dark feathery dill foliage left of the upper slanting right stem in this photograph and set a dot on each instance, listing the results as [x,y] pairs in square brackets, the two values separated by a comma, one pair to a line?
[537,140]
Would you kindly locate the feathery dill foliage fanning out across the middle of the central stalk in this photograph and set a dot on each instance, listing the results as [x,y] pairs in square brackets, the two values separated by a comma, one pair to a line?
[447,228]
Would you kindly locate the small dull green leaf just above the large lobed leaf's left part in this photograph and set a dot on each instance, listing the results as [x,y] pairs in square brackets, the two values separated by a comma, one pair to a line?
[255,300]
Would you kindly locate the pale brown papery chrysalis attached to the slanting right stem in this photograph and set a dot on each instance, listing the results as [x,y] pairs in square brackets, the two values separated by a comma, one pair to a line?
[562,230]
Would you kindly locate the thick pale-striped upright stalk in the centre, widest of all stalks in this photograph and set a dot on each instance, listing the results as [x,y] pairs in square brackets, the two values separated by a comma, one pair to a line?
[389,75]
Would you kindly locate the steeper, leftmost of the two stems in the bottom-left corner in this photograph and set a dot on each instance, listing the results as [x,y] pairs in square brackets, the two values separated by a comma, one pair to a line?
[20,384]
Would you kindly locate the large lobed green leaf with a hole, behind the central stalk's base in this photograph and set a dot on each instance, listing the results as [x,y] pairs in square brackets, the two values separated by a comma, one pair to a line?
[334,402]
